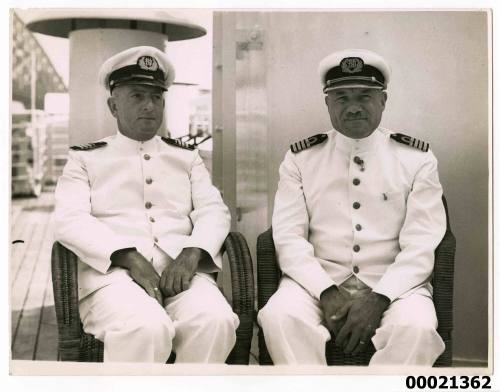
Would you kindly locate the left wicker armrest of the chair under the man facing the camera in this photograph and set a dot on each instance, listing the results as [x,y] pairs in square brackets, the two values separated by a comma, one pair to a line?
[268,271]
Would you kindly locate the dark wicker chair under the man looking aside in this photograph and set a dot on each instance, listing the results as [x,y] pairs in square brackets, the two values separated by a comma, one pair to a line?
[76,345]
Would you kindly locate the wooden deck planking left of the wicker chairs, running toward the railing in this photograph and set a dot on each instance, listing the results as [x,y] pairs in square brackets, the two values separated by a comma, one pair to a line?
[29,280]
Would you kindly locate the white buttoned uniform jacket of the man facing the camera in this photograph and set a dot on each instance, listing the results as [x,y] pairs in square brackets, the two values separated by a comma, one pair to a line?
[380,219]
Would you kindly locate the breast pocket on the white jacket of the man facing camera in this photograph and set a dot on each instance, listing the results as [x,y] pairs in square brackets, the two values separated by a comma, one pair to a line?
[387,212]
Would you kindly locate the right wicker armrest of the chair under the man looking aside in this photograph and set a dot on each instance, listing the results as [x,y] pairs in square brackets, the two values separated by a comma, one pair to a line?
[243,293]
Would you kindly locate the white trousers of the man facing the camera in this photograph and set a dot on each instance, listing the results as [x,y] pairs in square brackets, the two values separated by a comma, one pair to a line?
[295,332]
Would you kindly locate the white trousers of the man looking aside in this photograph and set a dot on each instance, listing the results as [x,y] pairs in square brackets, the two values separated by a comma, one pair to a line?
[197,324]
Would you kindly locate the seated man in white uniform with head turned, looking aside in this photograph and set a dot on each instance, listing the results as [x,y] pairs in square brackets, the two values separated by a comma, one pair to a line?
[142,215]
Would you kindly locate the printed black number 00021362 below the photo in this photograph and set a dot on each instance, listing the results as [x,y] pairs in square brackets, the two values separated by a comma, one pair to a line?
[445,382]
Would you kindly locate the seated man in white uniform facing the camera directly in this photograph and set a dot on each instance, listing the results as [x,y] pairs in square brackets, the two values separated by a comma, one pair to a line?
[357,217]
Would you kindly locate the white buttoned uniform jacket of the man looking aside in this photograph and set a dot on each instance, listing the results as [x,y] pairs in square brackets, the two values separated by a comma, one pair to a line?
[136,194]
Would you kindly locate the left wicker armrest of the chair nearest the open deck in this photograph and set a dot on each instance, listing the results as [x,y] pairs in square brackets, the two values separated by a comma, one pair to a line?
[65,286]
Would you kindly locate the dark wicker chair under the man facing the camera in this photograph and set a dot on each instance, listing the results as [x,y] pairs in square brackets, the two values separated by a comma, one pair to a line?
[268,276]
